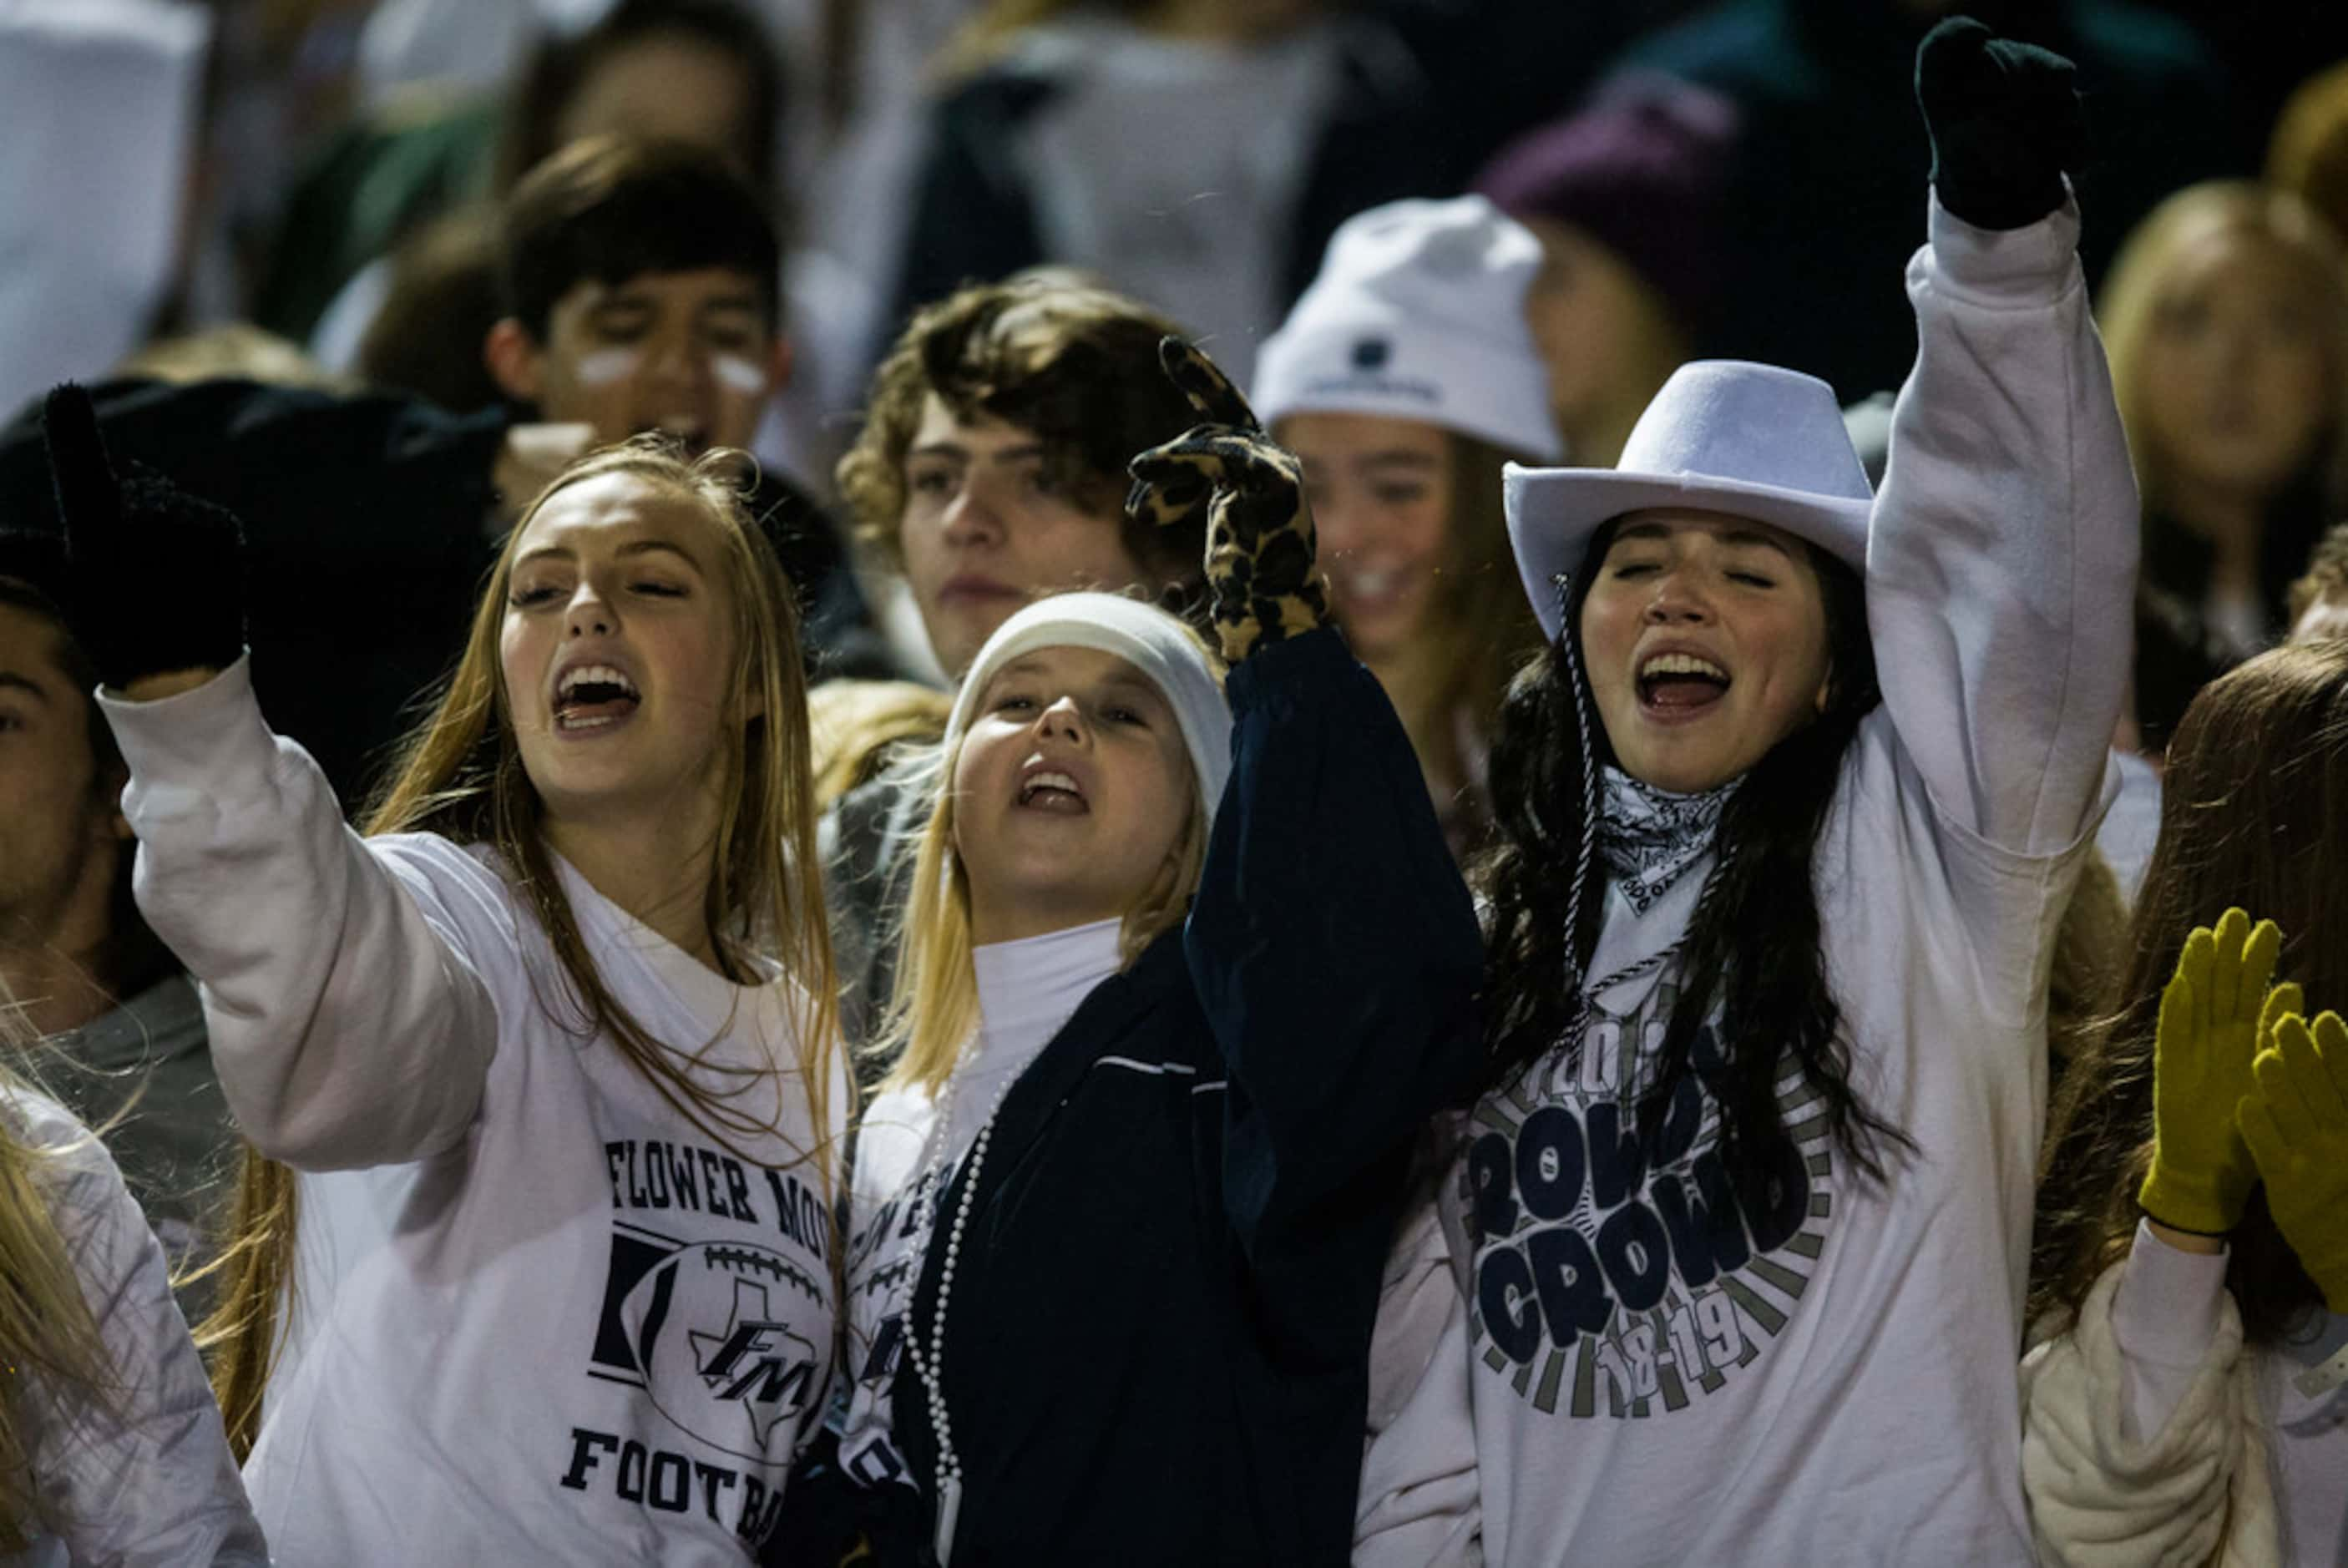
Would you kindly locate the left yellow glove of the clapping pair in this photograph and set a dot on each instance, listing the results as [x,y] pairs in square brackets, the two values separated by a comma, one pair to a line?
[2208,1036]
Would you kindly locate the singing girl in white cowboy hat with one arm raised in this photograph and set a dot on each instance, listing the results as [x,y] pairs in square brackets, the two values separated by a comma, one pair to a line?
[1732,1262]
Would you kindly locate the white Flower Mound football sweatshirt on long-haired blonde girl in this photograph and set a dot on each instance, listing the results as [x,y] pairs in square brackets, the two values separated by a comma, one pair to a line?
[539,1313]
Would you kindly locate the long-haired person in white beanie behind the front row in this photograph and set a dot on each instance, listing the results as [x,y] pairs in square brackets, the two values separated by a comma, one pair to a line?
[1408,379]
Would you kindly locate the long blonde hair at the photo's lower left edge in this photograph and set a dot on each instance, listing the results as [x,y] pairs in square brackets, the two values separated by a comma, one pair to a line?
[48,1337]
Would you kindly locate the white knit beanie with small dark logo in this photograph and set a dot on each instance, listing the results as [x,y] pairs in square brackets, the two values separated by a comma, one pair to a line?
[1419,316]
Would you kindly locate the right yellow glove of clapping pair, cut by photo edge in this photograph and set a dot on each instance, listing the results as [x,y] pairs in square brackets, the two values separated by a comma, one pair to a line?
[2295,1123]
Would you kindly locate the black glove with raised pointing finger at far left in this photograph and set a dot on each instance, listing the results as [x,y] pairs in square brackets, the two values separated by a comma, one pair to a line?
[156,576]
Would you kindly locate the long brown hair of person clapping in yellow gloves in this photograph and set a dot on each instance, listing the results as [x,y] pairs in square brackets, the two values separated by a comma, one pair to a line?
[2253,816]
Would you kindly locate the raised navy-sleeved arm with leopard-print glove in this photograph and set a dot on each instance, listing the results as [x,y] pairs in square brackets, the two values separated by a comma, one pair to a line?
[1332,940]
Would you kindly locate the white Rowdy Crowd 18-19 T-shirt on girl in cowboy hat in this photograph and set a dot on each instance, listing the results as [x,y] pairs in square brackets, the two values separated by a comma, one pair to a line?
[1671,1367]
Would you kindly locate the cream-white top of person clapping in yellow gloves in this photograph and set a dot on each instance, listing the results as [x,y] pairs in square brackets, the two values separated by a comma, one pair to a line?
[2152,1438]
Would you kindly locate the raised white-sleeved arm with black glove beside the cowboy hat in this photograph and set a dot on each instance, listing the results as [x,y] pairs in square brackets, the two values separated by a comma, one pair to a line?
[2004,553]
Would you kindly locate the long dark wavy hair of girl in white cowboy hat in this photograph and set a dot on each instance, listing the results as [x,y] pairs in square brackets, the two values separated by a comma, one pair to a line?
[1755,942]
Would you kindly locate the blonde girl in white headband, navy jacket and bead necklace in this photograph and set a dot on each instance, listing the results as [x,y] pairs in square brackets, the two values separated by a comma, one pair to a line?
[1124,1203]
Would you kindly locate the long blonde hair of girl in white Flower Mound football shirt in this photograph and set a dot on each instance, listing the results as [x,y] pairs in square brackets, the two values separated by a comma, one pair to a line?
[461,778]
